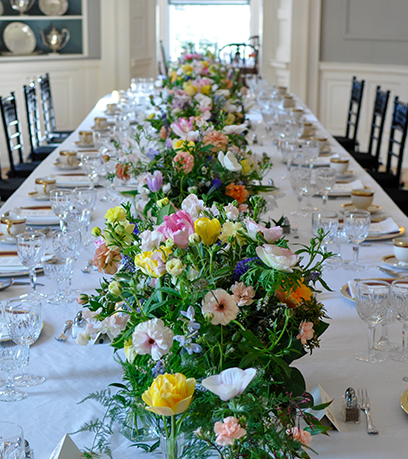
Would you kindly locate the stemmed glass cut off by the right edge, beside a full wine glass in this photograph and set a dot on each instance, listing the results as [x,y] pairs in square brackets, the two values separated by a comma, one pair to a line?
[399,303]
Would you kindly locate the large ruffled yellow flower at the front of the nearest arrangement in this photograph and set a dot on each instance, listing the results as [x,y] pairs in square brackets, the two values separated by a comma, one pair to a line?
[169,394]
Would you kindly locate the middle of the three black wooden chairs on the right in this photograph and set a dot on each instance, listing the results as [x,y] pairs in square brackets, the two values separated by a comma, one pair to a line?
[370,160]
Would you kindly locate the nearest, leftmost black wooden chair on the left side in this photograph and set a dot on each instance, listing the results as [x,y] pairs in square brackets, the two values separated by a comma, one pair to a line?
[14,139]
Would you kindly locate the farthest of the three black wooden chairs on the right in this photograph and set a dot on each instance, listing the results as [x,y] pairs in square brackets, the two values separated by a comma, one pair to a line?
[349,141]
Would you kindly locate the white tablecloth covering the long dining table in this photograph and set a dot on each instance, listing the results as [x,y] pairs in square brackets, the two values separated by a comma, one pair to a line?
[72,372]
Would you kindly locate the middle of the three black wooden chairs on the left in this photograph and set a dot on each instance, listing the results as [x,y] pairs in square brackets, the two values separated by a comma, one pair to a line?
[38,152]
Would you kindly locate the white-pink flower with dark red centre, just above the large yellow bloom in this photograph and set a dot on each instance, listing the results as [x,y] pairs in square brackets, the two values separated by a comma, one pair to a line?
[152,337]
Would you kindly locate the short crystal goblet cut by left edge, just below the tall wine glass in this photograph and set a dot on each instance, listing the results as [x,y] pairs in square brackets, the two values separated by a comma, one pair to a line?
[12,357]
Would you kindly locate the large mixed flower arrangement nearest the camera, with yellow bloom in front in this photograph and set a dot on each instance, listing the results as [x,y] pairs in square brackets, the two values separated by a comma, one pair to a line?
[207,309]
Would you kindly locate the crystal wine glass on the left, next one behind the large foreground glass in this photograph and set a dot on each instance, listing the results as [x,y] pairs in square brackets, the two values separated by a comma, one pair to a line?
[31,250]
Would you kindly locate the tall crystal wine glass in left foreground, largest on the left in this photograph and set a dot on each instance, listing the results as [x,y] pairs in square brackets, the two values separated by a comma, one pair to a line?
[24,320]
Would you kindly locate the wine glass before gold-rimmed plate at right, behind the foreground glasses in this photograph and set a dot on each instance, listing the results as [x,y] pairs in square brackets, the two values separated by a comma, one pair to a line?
[356,226]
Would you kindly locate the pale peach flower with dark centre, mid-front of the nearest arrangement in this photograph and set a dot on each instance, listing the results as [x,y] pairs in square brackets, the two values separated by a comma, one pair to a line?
[221,305]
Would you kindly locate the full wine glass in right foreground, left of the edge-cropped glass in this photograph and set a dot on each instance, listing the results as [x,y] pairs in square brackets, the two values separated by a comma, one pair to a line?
[372,304]
